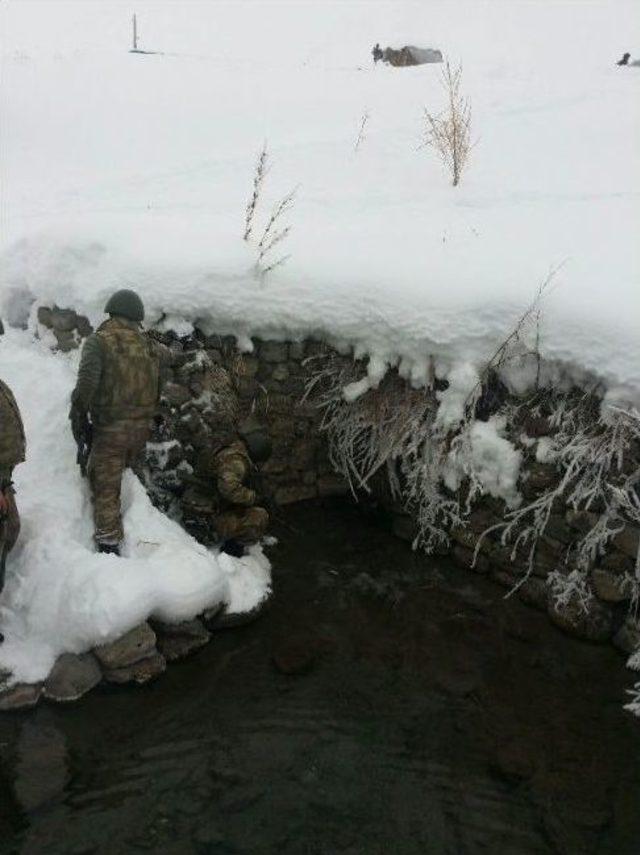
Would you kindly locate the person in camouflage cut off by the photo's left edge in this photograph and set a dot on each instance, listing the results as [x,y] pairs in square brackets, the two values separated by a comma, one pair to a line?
[12,452]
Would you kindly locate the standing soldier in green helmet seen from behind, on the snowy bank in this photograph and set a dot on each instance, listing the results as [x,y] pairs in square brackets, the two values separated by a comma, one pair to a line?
[118,387]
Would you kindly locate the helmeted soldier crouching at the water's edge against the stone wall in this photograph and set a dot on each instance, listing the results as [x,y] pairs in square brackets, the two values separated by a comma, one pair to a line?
[221,491]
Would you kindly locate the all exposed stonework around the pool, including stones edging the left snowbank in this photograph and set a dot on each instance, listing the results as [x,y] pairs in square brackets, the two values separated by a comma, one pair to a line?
[272,381]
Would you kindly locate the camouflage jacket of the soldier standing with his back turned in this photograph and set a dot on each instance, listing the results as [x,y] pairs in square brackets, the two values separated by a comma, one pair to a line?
[119,374]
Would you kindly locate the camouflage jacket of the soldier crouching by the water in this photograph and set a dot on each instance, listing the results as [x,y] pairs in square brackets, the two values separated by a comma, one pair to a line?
[227,471]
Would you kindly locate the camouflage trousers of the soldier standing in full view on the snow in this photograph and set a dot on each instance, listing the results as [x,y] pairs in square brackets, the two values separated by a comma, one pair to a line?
[116,447]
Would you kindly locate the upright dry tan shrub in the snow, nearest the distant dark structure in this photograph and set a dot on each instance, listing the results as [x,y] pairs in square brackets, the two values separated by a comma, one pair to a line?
[449,132]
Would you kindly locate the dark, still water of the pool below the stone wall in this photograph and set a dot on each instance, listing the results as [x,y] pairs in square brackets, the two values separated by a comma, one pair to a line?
[424,715]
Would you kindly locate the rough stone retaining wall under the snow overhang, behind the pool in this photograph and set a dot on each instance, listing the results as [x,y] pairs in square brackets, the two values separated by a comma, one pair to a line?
[272,379]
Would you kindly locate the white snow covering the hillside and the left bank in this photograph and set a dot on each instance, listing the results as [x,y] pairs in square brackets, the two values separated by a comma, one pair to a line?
[135,170]
